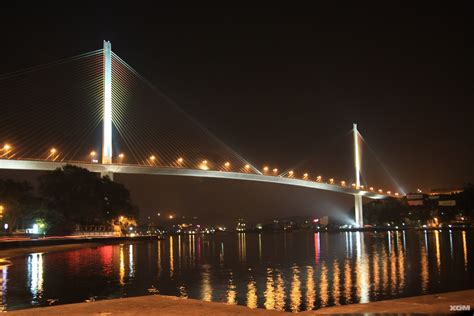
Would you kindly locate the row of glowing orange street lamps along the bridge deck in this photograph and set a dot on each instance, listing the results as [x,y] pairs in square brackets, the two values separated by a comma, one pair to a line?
[204,165]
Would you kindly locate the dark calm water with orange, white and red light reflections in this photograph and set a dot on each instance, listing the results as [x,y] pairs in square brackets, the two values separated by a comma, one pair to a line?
[293,272]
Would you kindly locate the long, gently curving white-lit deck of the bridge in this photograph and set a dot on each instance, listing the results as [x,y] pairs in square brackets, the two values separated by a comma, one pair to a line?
[133,169]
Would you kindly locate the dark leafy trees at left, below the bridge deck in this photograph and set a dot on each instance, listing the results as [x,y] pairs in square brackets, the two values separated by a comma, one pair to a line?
[68,197]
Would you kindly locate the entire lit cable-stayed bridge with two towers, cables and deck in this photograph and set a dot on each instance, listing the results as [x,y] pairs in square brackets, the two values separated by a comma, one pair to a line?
[95,111]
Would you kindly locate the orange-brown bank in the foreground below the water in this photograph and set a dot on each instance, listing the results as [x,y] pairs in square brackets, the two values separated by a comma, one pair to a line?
[167,305]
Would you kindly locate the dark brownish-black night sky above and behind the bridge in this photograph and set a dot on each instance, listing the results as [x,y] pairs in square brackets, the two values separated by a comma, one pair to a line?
[285,84]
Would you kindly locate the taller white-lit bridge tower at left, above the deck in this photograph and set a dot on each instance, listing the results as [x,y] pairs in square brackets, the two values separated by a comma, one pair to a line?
[107,119]
